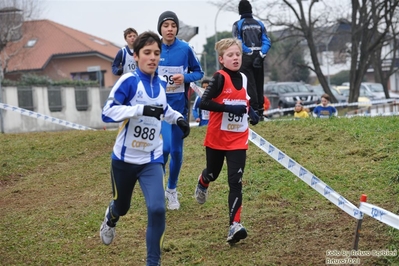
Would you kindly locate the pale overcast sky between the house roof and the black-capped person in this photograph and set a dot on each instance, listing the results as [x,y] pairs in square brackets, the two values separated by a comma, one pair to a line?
[108,19]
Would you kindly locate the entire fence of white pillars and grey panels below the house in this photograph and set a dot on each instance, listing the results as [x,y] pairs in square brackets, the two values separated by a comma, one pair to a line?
[78,105]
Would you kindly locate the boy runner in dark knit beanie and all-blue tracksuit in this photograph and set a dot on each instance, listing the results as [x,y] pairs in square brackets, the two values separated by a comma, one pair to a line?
[180,66]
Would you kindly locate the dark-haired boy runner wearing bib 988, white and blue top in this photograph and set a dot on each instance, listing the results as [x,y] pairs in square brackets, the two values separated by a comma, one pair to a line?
[138,103]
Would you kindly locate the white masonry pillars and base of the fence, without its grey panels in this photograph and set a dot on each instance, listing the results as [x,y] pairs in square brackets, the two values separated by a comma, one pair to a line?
[15,122]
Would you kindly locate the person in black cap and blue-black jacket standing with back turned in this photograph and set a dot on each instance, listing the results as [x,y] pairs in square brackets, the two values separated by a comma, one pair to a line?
[255,45]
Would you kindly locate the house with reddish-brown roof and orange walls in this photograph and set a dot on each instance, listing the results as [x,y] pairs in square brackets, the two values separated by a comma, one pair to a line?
[59,52]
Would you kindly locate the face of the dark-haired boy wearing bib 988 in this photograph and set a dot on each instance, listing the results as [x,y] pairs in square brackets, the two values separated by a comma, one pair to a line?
[148,58]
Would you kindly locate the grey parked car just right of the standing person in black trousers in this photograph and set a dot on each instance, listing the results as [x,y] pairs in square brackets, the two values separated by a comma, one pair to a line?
[286,94]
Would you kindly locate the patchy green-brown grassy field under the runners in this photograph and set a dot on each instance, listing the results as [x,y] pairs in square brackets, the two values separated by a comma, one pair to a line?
[54,188]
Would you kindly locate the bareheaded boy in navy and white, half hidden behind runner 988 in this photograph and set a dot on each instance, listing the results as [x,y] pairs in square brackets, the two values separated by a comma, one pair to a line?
[124,61]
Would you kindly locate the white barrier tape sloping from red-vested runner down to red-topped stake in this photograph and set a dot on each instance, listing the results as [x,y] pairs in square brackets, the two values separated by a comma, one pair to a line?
[299,170]
